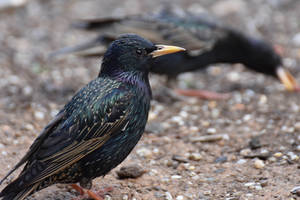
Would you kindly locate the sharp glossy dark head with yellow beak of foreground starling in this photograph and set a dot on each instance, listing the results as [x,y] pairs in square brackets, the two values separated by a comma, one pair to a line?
[132,53]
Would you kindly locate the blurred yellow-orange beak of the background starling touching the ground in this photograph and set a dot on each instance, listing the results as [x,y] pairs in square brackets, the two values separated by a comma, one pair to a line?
[287,79]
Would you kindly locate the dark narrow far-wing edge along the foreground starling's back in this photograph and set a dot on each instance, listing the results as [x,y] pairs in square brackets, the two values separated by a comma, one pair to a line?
[52,125]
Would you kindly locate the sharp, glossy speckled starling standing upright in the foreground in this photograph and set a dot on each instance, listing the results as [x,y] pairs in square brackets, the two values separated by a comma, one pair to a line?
[98,128]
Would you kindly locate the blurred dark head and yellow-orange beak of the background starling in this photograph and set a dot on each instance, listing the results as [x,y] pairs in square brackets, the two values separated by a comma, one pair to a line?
[263,58]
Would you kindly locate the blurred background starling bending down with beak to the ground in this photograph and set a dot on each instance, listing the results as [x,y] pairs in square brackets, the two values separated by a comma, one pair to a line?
[207,42]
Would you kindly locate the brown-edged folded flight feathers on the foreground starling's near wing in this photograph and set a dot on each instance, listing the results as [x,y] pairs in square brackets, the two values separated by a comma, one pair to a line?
[91,141]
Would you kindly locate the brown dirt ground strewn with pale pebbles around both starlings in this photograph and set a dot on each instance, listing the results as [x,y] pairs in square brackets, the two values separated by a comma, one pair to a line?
[254,153]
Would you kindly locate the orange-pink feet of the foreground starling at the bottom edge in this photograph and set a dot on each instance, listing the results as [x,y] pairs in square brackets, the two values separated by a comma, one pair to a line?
[98,195]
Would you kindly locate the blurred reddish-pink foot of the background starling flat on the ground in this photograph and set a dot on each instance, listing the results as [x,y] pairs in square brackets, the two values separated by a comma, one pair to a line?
[203,94]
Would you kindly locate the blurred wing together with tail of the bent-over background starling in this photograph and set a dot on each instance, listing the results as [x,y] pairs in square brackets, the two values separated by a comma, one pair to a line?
[197,34]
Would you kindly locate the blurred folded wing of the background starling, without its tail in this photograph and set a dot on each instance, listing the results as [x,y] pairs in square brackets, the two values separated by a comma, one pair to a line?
[191,32]
